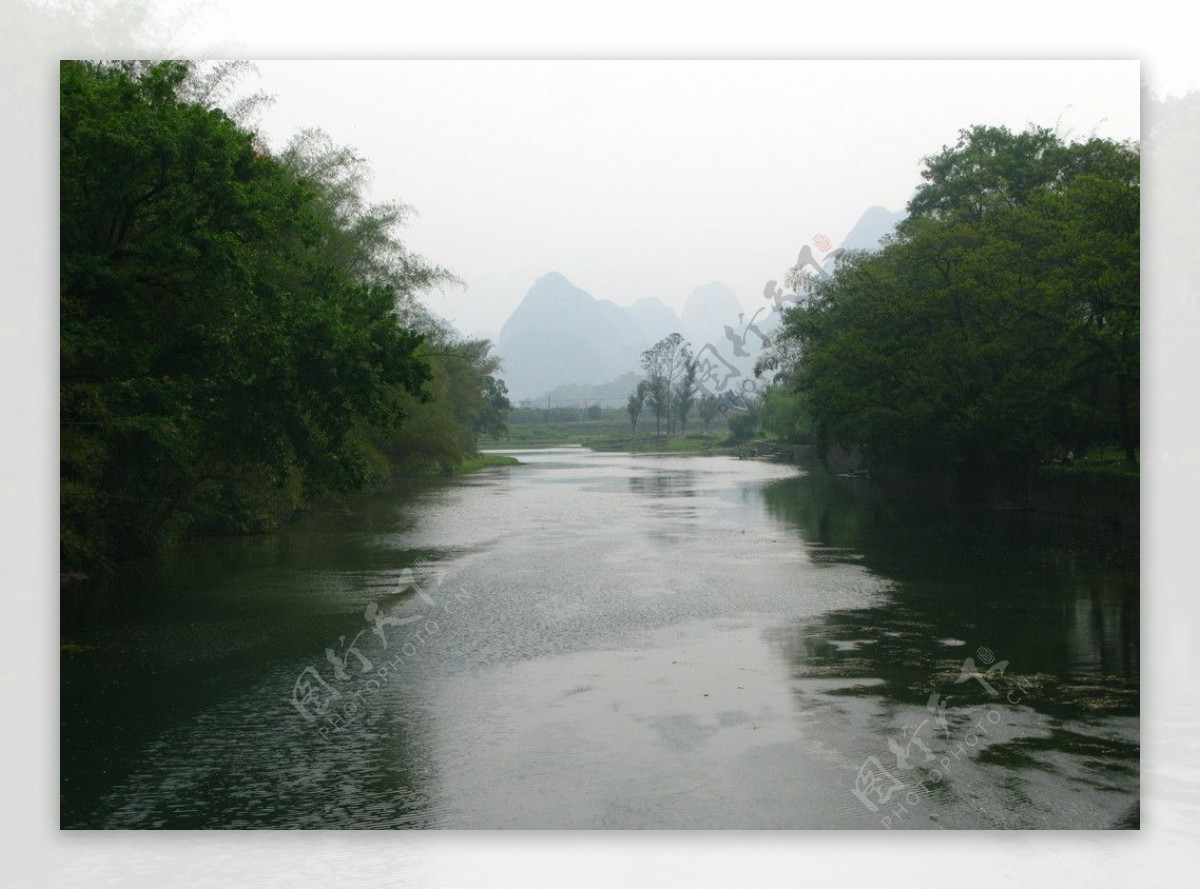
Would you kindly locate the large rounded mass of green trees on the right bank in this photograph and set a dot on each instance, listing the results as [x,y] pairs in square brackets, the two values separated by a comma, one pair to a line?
[995,332]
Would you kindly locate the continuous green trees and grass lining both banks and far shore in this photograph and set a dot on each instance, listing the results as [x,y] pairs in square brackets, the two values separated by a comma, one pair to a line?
[243,334]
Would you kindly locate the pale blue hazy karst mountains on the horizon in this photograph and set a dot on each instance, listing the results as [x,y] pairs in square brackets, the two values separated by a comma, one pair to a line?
[562,339]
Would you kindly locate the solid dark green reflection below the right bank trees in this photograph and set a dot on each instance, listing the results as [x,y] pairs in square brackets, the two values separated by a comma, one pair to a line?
[1060,602]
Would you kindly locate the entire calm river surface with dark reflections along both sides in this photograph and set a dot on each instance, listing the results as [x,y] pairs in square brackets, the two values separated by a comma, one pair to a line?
[614,641]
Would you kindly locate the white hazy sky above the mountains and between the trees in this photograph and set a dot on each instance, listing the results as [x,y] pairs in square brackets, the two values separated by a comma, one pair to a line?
[649,178]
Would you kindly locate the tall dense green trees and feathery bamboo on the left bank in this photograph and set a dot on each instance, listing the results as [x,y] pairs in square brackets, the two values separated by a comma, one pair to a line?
[241,332]
